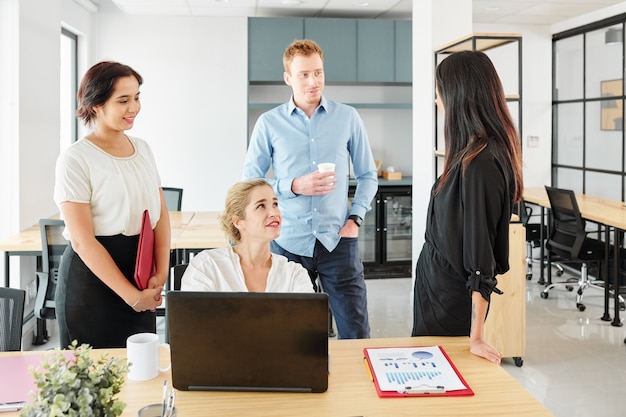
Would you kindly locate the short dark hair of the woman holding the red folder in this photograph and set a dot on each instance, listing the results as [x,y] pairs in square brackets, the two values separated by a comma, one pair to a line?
[97,85]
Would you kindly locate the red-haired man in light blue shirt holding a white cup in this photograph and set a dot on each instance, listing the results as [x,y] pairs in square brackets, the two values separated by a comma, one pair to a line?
[320,226]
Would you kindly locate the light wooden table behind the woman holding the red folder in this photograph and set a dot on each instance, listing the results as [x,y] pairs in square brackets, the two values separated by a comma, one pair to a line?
[190,230]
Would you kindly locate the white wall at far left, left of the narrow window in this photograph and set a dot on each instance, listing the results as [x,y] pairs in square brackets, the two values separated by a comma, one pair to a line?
[29,52]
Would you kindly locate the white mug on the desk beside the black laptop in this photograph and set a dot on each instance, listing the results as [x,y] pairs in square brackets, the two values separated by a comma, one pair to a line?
[142,351]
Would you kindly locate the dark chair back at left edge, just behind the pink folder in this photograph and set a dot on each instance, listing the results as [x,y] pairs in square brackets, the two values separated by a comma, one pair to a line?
[11,319]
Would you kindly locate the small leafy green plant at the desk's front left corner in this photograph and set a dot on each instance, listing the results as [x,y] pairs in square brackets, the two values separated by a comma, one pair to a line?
[78,385]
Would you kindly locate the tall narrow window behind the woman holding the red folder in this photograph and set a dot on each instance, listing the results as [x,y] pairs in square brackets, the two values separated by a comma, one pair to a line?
[68,84]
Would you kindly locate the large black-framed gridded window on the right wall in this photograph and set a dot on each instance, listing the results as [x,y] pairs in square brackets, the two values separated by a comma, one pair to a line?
[588,142]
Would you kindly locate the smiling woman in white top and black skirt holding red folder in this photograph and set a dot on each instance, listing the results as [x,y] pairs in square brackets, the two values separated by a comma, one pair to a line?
[103,184]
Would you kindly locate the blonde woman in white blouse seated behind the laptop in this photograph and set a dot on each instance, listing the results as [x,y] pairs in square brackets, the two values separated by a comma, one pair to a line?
[251,220]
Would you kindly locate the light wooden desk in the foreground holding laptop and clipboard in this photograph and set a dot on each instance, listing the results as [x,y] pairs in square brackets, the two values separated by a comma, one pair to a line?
[350,392]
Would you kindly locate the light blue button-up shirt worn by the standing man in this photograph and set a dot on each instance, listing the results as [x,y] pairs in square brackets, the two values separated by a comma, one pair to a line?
[292,144]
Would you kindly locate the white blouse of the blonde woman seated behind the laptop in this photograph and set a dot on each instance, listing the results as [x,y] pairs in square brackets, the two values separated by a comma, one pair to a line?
[220,270]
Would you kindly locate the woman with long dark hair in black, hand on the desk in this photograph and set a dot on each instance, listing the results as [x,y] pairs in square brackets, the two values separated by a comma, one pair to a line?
[467,230]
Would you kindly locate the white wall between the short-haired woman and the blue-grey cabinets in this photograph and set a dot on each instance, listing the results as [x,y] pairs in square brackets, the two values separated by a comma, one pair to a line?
[194,97]
